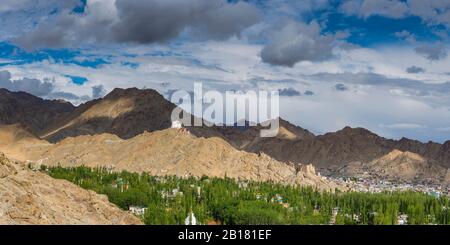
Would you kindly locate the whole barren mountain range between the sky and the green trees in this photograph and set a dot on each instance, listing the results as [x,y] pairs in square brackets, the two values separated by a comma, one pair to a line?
[124,117]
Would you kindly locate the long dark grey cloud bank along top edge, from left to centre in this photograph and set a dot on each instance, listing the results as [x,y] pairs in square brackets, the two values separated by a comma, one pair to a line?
[142,21]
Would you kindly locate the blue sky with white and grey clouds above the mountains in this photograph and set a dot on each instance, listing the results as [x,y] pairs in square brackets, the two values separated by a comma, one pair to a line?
[378,64]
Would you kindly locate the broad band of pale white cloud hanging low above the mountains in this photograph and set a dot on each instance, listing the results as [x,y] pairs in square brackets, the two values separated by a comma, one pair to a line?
[380,92]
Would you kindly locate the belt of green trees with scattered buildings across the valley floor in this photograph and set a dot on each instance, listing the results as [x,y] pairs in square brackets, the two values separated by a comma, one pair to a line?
[227,201]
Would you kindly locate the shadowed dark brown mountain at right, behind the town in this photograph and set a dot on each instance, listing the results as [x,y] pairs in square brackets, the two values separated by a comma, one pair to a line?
[337,149]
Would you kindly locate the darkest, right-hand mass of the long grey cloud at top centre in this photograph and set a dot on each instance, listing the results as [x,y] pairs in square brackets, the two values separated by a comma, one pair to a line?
[160,20]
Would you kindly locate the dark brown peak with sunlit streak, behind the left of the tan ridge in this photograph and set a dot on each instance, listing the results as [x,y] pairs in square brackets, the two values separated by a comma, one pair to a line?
[125,113]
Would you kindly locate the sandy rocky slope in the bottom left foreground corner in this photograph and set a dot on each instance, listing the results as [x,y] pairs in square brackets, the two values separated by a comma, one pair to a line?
[28,197]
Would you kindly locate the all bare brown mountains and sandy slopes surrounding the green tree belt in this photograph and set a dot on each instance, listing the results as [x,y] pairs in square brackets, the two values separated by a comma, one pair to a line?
[130,129]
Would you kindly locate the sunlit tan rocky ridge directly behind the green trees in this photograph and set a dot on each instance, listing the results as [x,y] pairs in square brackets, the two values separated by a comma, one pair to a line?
[174,152]
